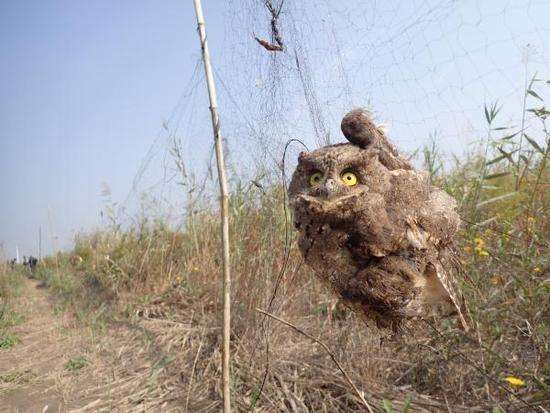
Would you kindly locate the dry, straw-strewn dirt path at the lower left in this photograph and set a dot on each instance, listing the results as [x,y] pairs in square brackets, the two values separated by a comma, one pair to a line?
[59,366]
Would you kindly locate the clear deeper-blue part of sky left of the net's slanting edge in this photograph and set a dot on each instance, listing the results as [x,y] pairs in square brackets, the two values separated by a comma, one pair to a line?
[85,87]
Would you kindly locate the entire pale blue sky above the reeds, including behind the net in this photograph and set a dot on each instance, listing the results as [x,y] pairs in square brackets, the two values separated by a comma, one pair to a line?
[86,86]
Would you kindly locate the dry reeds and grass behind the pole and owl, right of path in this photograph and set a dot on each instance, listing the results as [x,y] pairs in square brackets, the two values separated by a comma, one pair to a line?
[167,282]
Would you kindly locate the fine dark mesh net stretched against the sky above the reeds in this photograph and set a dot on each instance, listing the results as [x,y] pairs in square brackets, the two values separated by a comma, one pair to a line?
[425,68]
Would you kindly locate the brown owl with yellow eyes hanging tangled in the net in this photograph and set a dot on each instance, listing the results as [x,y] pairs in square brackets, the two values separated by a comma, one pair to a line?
[375,230]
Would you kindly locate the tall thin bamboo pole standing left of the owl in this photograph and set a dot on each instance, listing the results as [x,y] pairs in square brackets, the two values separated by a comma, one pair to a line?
[224,205]
